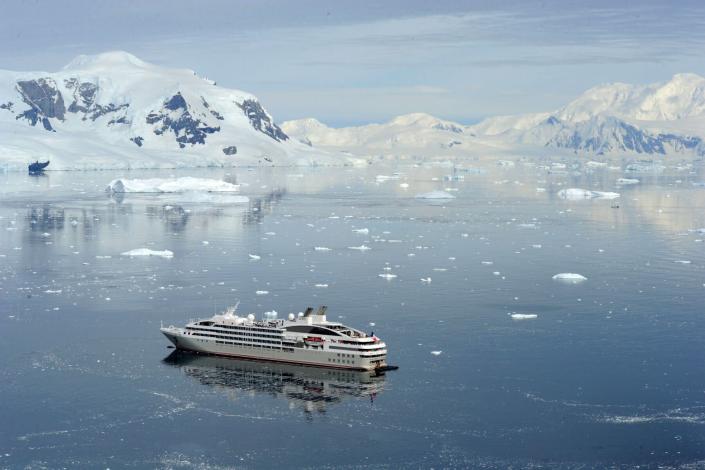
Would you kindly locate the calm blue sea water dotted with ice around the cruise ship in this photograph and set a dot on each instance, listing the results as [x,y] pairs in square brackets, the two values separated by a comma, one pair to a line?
[609,374]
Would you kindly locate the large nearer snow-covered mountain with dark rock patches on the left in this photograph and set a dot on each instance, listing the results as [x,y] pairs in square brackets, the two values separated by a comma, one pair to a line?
[114,110]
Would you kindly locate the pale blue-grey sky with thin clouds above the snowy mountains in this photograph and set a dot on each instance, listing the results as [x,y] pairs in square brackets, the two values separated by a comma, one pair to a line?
[354,62]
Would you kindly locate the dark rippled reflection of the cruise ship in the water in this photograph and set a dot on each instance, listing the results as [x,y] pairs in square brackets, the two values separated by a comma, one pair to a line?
[310,388]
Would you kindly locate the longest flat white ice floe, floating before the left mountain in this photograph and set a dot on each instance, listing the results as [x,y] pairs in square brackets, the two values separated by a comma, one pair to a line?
[170,185]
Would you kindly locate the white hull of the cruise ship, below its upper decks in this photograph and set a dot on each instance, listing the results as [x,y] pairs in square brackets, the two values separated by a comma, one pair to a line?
[320,357]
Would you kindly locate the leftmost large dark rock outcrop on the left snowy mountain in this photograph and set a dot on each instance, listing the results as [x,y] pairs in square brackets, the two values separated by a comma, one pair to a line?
[44,99]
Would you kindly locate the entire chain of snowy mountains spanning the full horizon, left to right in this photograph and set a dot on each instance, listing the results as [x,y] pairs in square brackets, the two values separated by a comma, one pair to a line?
[114,110]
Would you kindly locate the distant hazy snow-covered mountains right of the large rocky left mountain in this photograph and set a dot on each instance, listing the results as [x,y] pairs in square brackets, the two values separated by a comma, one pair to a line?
[616,119]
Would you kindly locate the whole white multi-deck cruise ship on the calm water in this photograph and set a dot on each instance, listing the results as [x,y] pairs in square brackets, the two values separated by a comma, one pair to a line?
[307,338]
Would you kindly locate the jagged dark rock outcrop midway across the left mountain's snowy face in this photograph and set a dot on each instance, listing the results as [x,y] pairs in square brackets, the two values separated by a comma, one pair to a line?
[187,128]
